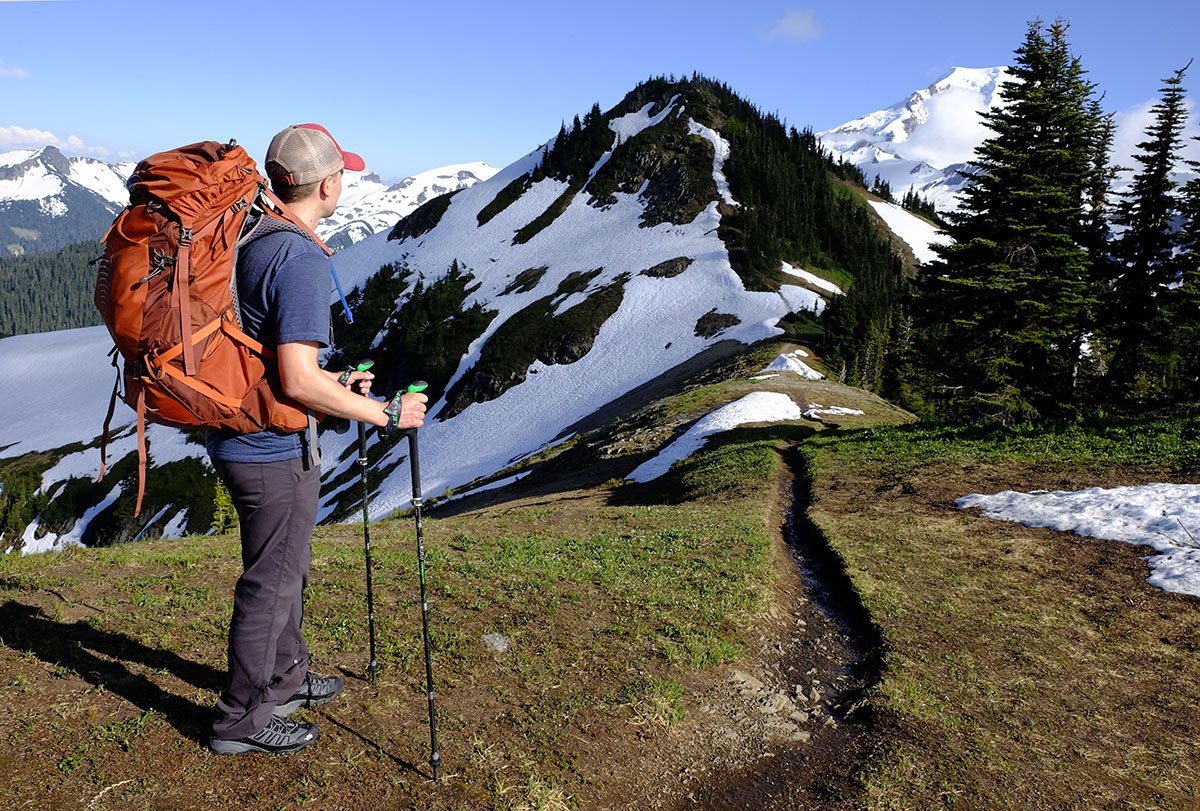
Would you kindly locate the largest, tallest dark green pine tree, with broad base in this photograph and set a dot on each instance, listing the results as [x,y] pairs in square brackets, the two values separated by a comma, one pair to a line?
[1007,307]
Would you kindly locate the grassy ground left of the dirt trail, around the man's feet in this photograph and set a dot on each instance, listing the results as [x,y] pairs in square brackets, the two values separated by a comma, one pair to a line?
[111,658]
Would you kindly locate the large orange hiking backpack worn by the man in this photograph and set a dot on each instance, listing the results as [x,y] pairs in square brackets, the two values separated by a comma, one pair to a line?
[167,292]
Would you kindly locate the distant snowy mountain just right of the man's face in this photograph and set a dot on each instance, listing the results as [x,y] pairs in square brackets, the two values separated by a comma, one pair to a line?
[369,206]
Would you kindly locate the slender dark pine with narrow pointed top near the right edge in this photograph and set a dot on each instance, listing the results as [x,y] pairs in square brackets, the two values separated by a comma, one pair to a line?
[1143,361]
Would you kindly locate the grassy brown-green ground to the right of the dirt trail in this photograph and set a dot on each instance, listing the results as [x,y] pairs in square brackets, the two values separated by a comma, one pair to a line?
[1025,669]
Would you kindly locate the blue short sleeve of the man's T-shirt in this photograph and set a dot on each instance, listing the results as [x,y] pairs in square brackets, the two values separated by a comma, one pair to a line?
[299,295]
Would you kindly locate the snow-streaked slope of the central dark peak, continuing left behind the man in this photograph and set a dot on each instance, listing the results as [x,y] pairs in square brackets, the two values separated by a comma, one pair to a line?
[593,266]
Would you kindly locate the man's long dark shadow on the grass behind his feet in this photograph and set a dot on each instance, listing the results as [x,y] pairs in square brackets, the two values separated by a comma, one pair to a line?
[85,650]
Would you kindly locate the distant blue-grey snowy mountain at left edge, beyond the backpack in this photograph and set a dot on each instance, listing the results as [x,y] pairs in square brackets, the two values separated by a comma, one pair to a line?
[49,200]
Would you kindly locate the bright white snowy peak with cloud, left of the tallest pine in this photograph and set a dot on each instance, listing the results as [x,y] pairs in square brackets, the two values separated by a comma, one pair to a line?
[923,142]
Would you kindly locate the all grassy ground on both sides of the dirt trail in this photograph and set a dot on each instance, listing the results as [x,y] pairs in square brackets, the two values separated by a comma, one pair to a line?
[1024,669]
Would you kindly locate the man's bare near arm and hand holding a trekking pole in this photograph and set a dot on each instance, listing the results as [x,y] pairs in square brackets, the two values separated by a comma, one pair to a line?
[305,382]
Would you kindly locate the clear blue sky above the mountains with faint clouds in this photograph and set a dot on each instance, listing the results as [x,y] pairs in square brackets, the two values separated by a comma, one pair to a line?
[417,86]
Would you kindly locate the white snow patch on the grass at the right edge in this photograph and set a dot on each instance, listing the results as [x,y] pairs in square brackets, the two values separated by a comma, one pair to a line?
[1165,518]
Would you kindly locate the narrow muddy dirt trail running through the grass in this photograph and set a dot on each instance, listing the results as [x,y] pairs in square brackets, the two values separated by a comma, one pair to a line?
[787,729]
